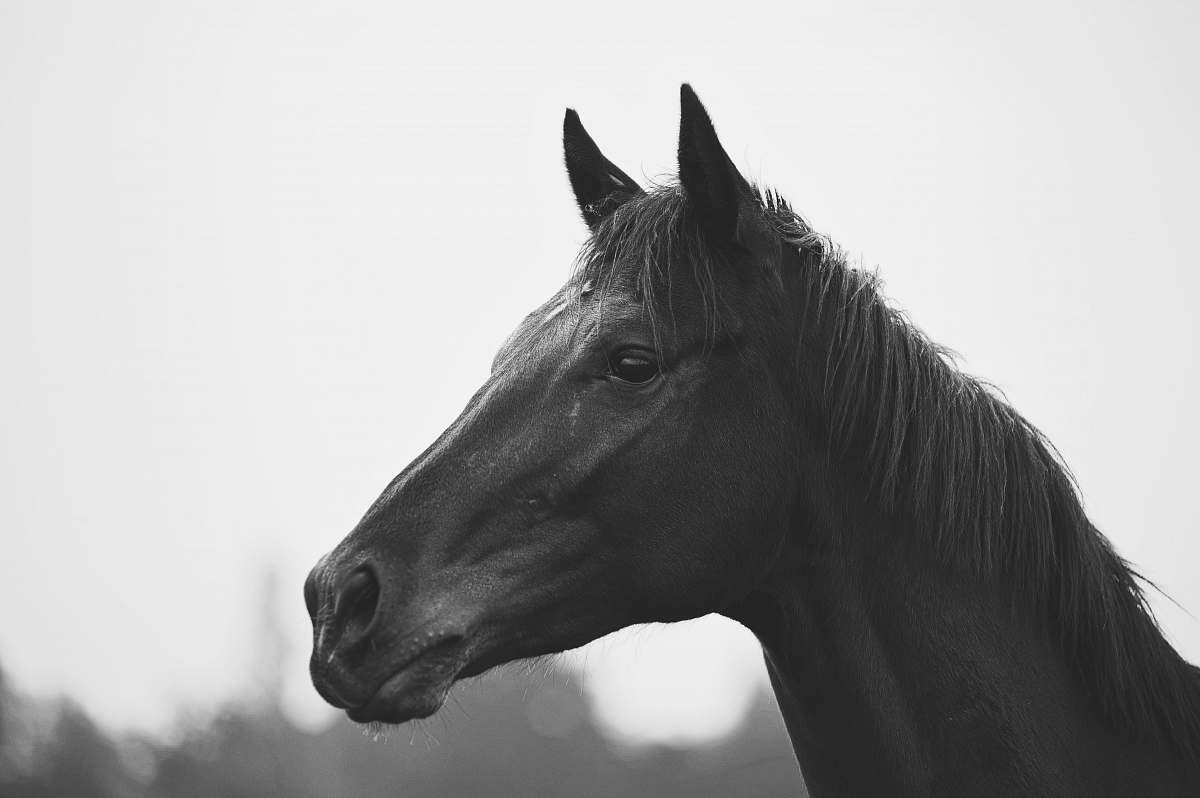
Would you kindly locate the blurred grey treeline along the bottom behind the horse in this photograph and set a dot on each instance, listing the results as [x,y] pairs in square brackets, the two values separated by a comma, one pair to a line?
[508,735]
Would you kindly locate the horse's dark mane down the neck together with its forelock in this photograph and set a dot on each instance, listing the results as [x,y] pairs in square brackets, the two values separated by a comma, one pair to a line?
[940,448]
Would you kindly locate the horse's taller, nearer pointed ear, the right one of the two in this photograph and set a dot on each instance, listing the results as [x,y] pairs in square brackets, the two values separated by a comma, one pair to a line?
[712,183]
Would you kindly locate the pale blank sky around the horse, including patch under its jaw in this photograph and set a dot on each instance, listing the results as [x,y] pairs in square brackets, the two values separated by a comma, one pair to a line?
[255,256]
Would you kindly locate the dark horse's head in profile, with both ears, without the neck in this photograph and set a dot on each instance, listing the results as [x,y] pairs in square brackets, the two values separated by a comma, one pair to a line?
[631,458]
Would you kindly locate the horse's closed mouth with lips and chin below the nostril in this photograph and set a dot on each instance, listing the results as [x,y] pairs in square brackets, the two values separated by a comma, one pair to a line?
[418,688]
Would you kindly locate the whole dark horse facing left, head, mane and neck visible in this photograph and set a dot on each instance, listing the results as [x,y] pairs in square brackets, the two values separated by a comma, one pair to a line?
[717,413]
